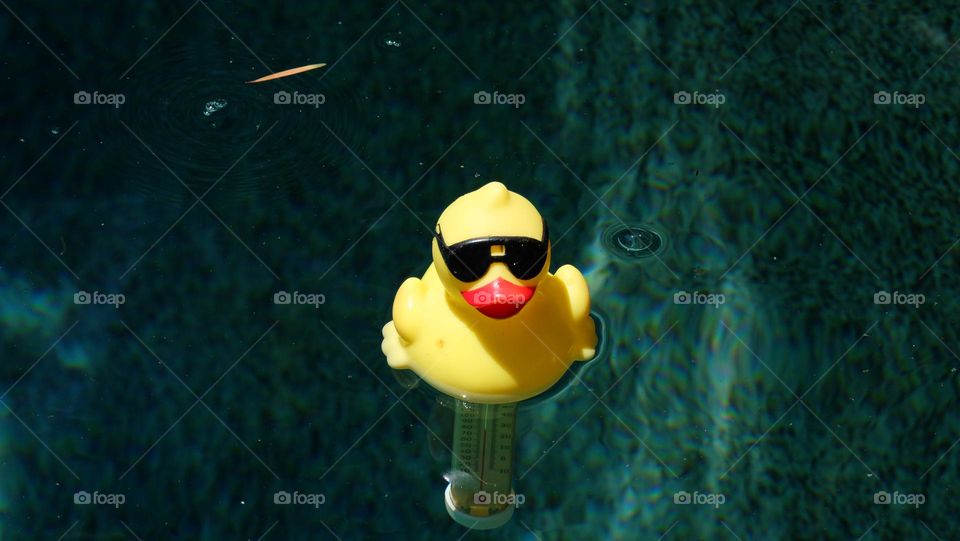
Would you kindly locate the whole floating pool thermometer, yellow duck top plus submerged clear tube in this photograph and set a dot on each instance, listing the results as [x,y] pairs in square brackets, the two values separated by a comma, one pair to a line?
[490,326]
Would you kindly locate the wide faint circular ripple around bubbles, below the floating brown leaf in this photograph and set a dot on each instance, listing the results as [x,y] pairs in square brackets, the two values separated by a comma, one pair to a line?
[266,140]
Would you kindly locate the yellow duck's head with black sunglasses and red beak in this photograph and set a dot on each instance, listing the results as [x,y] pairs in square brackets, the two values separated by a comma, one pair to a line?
[491,248]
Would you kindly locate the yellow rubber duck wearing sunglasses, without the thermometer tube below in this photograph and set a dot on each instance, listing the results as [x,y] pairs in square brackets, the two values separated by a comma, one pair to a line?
[487,322]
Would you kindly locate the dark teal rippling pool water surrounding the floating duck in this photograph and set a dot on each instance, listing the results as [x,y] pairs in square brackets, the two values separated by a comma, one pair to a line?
[757,384]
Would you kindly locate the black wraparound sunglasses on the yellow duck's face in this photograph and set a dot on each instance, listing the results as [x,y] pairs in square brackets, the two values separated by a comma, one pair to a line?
[469,260]
